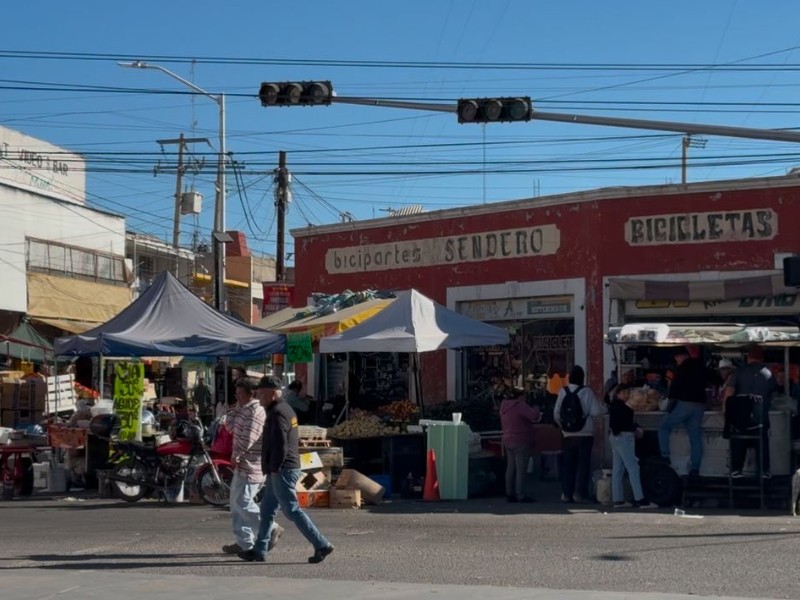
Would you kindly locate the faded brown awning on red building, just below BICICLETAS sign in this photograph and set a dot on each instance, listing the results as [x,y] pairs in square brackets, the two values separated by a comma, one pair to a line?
[708,290]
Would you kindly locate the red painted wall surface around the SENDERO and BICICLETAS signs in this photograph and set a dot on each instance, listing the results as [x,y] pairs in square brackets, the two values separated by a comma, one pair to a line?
[592,246]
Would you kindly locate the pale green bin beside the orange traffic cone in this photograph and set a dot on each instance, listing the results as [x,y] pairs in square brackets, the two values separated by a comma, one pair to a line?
[450,445]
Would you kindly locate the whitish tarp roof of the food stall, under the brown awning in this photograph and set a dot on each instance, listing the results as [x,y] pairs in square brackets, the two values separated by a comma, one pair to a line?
[722,334]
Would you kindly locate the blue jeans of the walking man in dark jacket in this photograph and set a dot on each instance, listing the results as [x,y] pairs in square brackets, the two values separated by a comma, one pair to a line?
[280,492]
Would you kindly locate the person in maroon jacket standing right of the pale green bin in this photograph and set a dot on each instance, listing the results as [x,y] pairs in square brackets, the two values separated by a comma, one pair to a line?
[517,420]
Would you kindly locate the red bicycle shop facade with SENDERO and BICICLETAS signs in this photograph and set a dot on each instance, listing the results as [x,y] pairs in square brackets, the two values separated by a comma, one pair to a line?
[558,271]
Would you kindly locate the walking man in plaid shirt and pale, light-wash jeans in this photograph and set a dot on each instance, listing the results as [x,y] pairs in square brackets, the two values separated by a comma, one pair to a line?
[246,422]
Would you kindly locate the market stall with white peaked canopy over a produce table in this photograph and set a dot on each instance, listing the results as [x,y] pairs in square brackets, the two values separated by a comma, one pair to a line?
[412,324]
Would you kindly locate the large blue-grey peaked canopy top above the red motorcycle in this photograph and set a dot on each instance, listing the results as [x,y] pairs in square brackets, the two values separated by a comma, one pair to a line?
[168,320]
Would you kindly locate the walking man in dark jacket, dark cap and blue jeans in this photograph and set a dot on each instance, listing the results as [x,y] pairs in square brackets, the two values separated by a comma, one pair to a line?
[280,462]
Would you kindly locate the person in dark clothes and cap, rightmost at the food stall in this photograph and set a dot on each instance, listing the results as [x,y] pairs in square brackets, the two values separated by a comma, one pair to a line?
[753,379]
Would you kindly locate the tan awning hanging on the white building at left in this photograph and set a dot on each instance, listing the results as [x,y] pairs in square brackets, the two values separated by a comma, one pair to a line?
[52,297]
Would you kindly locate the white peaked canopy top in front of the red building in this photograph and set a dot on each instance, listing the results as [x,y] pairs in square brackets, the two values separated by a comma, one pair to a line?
[415,323]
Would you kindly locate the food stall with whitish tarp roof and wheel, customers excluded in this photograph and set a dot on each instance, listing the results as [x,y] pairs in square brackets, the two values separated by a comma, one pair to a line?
[644,358]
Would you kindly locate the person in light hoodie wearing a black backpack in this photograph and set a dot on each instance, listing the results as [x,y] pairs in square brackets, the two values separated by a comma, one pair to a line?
[575,410]
